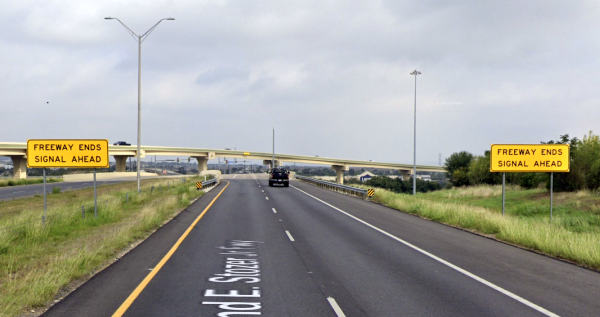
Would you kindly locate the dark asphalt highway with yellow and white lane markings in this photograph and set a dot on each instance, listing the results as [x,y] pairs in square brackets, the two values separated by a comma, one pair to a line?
[306,251]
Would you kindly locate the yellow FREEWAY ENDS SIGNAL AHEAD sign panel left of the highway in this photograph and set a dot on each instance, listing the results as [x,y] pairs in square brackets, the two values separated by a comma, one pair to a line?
[67,153]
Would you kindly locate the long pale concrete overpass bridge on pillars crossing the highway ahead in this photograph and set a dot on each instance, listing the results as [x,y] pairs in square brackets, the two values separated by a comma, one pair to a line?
[18,153]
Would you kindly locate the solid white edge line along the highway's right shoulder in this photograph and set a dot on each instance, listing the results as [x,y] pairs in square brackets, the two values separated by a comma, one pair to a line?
[465,272]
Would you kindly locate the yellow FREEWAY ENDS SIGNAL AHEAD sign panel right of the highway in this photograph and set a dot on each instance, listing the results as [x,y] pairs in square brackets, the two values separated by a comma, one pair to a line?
[529,158]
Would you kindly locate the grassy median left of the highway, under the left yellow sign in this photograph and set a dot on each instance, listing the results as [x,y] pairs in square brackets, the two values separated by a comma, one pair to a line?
[37,261]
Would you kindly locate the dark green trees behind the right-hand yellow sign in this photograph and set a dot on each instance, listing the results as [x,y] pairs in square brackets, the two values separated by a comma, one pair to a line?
[464,168]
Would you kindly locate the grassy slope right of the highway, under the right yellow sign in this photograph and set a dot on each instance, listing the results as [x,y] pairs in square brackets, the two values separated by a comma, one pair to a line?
[573,234]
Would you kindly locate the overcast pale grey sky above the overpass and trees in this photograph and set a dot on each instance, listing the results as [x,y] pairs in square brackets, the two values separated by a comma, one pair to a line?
[332,77]
